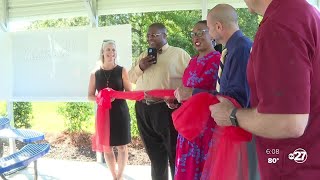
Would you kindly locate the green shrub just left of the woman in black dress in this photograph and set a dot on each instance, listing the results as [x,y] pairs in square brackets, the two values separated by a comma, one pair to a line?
[76,115]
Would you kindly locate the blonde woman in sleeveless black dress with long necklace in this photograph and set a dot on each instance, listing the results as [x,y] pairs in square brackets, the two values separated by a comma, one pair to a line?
[113,76]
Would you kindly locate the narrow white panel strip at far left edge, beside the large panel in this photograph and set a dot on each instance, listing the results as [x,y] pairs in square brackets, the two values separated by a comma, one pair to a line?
[5,66]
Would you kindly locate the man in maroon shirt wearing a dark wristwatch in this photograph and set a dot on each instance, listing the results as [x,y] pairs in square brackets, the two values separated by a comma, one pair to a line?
[284,79]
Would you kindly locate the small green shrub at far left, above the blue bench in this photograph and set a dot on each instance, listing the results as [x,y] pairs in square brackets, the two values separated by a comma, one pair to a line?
[22,114]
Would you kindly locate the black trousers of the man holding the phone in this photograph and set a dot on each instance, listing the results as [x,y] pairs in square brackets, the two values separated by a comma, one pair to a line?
[159,137]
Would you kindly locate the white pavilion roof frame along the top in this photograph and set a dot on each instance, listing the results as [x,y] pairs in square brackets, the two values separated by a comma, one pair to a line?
[28,10]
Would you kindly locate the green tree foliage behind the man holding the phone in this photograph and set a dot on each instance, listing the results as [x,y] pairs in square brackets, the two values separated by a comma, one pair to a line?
[178,23]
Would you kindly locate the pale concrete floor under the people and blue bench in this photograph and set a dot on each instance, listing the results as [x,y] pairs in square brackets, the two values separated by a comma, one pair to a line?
[51,169]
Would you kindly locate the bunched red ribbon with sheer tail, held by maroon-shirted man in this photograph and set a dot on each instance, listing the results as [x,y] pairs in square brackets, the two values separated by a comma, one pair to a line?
[227,157]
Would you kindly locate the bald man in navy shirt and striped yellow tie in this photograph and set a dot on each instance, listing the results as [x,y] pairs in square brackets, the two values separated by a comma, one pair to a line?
[224,28]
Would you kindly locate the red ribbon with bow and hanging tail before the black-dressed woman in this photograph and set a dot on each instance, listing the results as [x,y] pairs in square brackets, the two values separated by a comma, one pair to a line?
[101,138]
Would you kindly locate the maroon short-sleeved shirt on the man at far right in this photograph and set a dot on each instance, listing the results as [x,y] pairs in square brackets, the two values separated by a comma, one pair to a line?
[284,78]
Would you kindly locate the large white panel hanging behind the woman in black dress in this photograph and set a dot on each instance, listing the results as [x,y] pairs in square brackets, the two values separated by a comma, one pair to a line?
[55,65]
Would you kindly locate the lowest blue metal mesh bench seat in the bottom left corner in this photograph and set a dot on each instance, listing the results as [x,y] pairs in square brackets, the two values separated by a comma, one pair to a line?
[23,157]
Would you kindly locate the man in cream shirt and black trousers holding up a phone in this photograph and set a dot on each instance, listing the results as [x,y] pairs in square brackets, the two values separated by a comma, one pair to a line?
[158,68]
